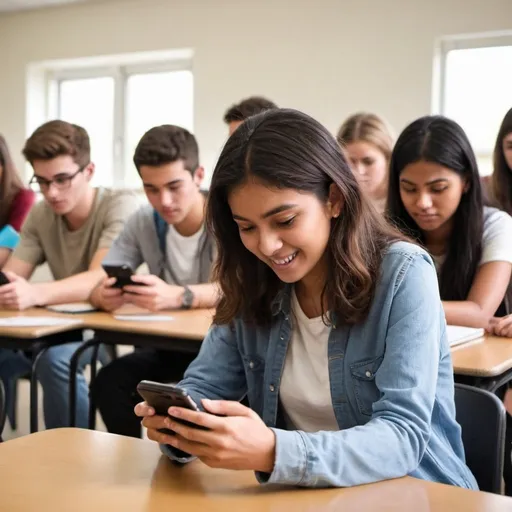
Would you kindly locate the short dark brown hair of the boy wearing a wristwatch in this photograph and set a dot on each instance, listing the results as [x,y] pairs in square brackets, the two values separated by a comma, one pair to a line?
[165,144]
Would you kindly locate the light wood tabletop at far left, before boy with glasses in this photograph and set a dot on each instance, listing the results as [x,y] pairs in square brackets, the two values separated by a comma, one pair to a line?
[33,332]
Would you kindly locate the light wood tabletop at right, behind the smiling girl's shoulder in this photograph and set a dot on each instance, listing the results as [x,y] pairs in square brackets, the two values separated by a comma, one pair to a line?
[486,357]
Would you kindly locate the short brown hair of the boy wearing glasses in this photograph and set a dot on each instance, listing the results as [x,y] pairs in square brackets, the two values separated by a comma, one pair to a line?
[58,138]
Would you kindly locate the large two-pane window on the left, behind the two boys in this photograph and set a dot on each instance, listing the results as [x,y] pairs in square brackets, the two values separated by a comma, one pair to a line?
[116,105]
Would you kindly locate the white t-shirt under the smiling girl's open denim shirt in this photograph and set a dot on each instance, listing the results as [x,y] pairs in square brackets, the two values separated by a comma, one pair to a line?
[305,390]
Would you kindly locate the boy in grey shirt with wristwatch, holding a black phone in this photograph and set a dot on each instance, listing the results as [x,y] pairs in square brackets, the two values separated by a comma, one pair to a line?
[168,235]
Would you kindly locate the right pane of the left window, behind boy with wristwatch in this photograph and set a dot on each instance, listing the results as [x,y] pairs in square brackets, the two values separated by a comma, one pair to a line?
[154,99]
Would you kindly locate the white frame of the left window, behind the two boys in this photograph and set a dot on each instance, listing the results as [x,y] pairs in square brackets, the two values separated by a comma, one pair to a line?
[120,68]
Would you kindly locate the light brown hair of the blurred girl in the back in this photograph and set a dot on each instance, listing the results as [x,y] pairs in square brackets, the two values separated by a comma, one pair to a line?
[367,128]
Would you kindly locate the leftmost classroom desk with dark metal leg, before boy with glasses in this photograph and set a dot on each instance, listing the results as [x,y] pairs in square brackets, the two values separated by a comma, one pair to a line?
[37,340]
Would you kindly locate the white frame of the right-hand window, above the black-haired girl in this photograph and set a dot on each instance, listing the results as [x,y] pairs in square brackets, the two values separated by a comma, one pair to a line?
[461,42]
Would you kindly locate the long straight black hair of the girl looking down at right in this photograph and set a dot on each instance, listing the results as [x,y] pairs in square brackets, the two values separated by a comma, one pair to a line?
[442,141]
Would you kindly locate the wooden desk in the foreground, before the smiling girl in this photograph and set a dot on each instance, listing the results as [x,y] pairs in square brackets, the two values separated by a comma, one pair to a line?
[71,469]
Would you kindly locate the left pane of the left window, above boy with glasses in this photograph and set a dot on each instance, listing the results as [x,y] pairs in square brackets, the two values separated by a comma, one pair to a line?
[89,103]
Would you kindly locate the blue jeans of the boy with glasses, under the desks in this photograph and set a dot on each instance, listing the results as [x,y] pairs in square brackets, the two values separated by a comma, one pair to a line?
[53,374]
